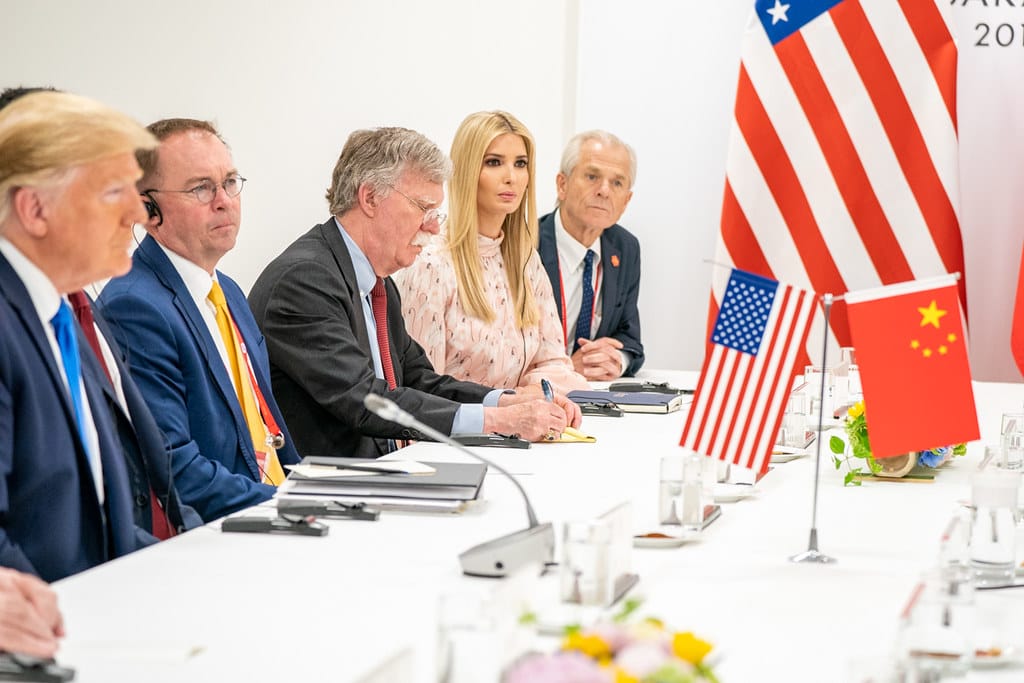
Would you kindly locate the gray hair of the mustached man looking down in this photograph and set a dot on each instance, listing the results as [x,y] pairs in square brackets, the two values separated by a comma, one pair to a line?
[379,157]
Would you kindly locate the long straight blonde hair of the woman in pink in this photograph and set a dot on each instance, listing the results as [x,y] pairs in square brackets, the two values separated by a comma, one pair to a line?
[472,142]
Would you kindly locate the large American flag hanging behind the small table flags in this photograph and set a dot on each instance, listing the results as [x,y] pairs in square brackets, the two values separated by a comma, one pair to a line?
[842,172]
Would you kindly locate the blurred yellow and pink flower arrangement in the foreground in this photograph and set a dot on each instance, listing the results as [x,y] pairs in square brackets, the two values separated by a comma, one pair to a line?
[620,652]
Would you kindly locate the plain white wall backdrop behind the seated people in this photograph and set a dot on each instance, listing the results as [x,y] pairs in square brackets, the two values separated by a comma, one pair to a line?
[287,82]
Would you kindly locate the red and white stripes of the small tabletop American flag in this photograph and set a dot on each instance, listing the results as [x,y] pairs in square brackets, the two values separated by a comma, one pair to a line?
[739,404]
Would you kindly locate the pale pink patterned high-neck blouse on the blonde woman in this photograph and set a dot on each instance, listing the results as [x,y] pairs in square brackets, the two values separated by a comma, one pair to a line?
[498,354]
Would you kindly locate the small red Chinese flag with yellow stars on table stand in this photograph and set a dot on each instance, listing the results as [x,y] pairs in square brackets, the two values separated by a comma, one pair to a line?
[914,366]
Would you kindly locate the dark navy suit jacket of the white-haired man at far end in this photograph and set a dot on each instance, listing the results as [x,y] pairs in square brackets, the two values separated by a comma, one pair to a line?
[620,285]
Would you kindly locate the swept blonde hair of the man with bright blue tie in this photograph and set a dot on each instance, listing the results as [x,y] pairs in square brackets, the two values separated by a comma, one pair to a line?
[45,136]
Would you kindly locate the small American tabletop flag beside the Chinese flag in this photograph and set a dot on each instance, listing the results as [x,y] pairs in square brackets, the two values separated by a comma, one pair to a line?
[748,371]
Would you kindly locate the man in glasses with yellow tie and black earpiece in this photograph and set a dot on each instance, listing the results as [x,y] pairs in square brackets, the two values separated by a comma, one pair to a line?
[193,346]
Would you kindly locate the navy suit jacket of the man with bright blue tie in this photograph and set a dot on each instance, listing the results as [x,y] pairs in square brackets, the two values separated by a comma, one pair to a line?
[52,523]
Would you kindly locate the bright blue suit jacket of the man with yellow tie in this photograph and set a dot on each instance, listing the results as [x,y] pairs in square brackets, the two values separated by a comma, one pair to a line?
[175,362]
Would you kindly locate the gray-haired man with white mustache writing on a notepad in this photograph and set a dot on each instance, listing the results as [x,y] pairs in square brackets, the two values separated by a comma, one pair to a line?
[333,320]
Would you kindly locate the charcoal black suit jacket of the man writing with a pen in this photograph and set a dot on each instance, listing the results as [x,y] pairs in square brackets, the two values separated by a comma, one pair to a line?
[308,306]
